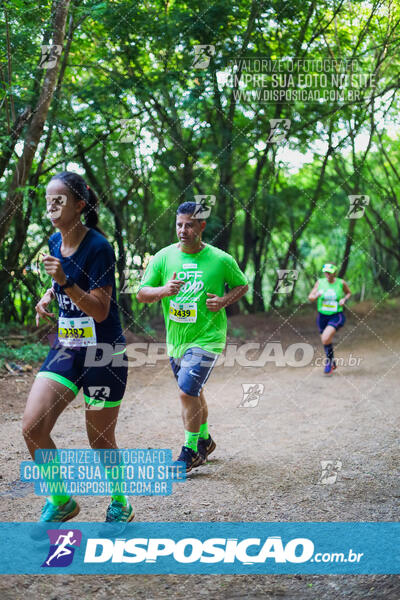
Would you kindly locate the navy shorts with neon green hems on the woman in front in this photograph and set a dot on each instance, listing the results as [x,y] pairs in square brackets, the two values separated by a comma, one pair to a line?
[103,384]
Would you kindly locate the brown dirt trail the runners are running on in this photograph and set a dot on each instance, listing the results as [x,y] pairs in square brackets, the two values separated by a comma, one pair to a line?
[266,466]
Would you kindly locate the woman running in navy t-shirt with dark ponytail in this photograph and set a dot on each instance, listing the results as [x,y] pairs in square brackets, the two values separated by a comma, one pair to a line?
[81,263]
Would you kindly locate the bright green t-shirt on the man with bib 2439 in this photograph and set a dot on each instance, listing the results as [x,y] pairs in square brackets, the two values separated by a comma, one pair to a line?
[188,321]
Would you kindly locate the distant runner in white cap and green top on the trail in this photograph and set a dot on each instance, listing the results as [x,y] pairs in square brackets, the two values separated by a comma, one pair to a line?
[331,293]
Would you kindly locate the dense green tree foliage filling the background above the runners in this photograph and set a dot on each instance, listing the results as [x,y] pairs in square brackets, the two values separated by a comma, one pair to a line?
[190,136]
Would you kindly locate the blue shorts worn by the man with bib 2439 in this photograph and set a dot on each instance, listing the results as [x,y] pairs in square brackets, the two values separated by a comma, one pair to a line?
[193,369]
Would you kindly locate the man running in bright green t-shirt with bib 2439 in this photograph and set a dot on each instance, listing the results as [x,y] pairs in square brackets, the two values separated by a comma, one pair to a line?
[189,278]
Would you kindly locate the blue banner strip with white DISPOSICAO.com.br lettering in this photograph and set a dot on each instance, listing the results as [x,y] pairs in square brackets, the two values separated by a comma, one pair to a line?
[200,547]
